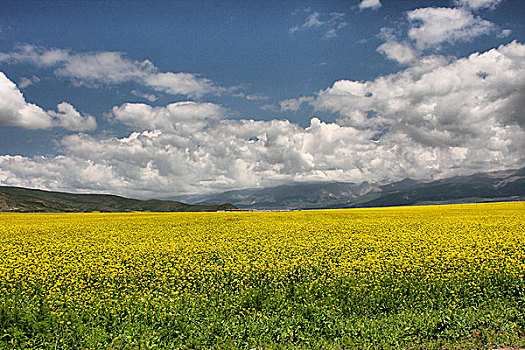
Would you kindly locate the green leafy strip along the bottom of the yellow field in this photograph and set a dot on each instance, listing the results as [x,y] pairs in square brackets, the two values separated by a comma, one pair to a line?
[293,316]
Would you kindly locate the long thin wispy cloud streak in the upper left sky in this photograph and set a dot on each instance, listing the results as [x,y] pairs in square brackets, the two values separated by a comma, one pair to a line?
[111,68]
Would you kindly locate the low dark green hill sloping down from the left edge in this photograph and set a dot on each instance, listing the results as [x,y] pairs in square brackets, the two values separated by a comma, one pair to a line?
[18,199]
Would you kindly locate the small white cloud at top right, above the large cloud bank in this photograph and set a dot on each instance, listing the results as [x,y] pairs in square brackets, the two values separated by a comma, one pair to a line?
[434,26]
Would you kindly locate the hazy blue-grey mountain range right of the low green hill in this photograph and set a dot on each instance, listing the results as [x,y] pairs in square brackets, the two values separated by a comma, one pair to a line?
[500,185]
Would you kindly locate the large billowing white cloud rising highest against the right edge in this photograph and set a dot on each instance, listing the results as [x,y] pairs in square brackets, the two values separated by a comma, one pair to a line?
[439,103]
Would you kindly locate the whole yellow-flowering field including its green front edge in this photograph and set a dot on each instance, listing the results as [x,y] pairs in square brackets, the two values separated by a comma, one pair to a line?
[414,277]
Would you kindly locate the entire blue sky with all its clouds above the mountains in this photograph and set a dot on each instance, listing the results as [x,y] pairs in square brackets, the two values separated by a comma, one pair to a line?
[159,99]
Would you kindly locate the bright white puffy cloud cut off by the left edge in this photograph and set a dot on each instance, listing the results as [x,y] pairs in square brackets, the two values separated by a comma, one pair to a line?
[15,111]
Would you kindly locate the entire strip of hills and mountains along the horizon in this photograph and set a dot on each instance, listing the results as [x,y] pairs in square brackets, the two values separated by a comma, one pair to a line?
[481,187]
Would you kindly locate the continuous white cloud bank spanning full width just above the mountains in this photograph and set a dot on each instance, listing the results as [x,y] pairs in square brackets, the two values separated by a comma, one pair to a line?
[441,116]
